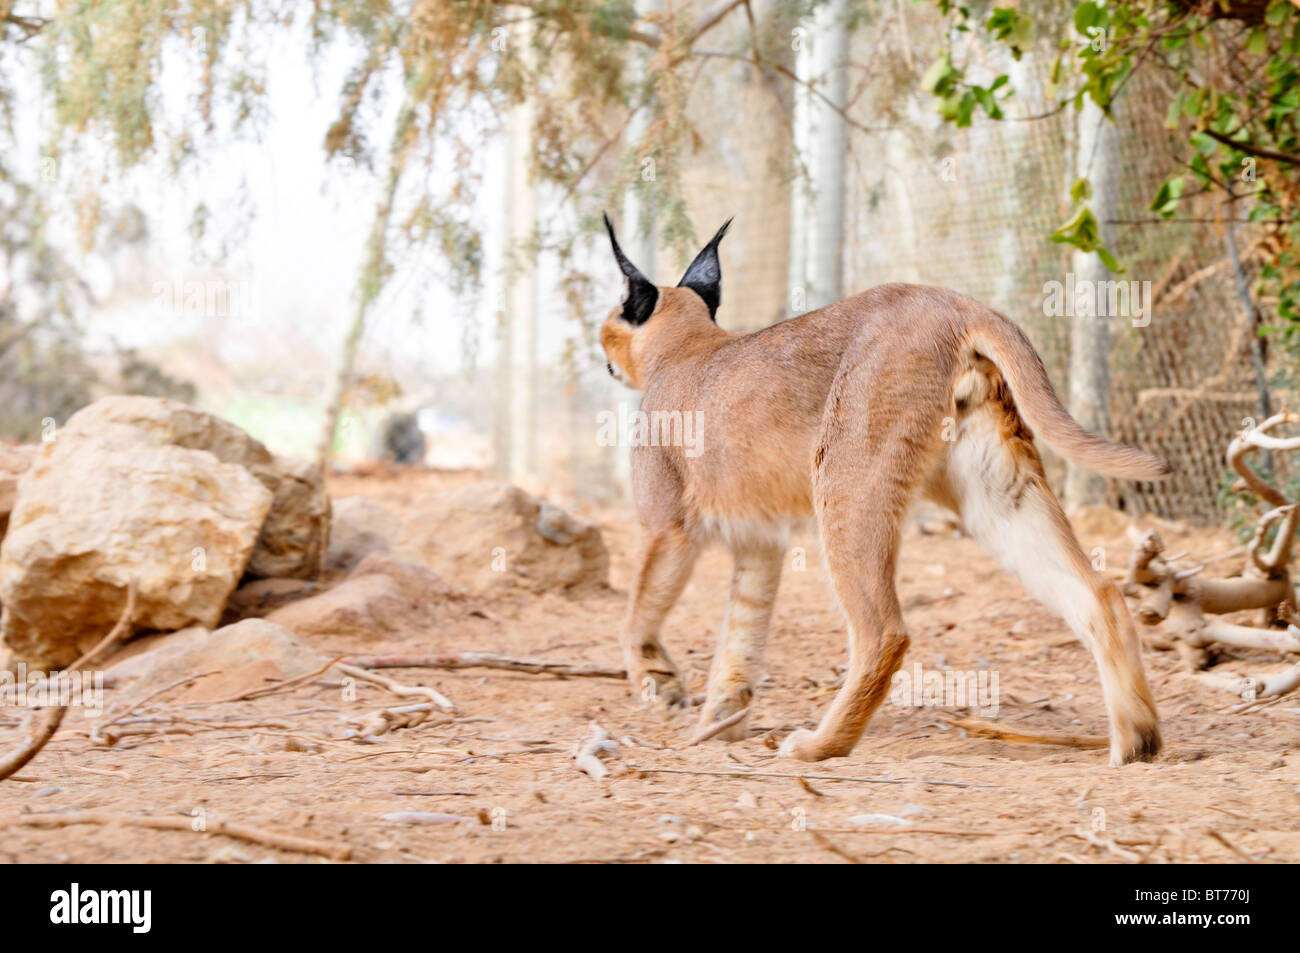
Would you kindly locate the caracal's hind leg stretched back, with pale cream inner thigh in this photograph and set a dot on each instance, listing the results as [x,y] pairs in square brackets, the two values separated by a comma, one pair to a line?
[996,482]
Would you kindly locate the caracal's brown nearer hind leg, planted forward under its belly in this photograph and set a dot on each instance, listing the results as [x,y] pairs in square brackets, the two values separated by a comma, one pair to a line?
[865,473]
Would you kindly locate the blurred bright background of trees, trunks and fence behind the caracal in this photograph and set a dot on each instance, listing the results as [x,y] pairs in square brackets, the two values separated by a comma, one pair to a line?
[371,231]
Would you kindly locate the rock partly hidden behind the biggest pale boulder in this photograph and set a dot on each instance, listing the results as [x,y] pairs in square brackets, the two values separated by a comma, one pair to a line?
[296,534]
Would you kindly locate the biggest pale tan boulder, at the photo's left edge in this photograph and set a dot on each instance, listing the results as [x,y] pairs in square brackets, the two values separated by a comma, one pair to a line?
[99,508]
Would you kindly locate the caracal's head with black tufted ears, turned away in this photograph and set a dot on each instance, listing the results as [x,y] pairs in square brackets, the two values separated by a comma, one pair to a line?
[647,309]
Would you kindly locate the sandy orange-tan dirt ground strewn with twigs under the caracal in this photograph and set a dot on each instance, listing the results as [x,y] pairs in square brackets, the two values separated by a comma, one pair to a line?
[501,783]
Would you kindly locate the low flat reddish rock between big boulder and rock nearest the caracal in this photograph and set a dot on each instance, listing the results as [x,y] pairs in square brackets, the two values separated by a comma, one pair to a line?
[383,599]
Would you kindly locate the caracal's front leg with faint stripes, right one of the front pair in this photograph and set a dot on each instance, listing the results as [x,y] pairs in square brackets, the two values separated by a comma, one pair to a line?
[739,657]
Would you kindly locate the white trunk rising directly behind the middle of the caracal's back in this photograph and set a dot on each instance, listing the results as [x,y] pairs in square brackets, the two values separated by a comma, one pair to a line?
[817,205]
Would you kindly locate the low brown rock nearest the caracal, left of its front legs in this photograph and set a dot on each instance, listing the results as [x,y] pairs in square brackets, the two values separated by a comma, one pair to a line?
[495,536]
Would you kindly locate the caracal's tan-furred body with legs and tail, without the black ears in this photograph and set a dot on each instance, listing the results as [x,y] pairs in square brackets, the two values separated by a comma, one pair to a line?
[842,415]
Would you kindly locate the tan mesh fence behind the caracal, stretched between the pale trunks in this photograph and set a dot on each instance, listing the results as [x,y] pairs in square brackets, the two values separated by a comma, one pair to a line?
[970,210]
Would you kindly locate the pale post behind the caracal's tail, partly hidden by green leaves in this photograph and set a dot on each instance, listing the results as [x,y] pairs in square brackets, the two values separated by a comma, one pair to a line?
[1098,159]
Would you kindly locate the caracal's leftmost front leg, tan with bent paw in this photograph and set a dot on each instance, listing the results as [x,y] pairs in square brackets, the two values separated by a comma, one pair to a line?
[668,558]
